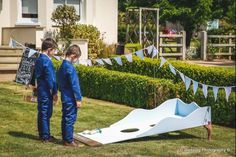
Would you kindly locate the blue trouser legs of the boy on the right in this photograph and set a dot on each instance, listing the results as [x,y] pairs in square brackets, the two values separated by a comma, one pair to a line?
[69,115]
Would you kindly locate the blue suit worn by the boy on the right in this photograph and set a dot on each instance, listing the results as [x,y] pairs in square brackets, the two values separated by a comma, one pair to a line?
[70,93]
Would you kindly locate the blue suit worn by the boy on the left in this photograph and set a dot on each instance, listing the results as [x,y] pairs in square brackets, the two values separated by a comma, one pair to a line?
[46,88]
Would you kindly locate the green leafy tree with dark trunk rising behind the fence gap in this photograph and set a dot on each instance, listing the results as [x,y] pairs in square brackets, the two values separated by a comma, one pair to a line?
[190,13]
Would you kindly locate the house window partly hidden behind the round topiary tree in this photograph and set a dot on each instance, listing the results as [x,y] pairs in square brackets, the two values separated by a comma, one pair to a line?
[75,3]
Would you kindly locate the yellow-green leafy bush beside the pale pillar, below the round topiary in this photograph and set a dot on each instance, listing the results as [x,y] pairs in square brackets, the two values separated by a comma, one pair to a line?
[95,45]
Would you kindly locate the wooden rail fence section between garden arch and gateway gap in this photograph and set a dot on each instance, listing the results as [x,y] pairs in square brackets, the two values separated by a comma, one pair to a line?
[175,43]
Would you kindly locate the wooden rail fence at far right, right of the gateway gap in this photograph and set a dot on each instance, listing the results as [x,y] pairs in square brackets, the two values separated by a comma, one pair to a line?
[217,45]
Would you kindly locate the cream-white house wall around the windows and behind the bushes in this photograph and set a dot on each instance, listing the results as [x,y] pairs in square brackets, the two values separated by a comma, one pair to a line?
[103,14]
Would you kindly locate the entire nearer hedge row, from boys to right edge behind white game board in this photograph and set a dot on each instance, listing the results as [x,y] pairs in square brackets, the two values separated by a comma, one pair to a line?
[146,92]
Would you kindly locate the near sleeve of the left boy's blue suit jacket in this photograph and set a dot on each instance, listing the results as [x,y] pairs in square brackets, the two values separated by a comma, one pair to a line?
[50,78]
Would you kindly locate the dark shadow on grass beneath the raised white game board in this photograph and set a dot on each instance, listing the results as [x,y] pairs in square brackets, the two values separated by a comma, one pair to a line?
[177,135]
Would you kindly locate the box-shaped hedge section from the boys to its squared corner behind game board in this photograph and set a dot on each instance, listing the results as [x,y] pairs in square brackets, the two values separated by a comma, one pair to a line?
[130,89]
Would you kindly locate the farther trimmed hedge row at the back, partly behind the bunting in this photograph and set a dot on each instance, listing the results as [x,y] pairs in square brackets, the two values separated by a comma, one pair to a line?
[150,67]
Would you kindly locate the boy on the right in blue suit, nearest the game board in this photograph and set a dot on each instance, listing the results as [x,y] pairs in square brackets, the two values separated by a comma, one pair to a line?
[70,94]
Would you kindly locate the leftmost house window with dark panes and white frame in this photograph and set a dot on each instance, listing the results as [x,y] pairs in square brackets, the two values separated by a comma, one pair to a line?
[29,8]
